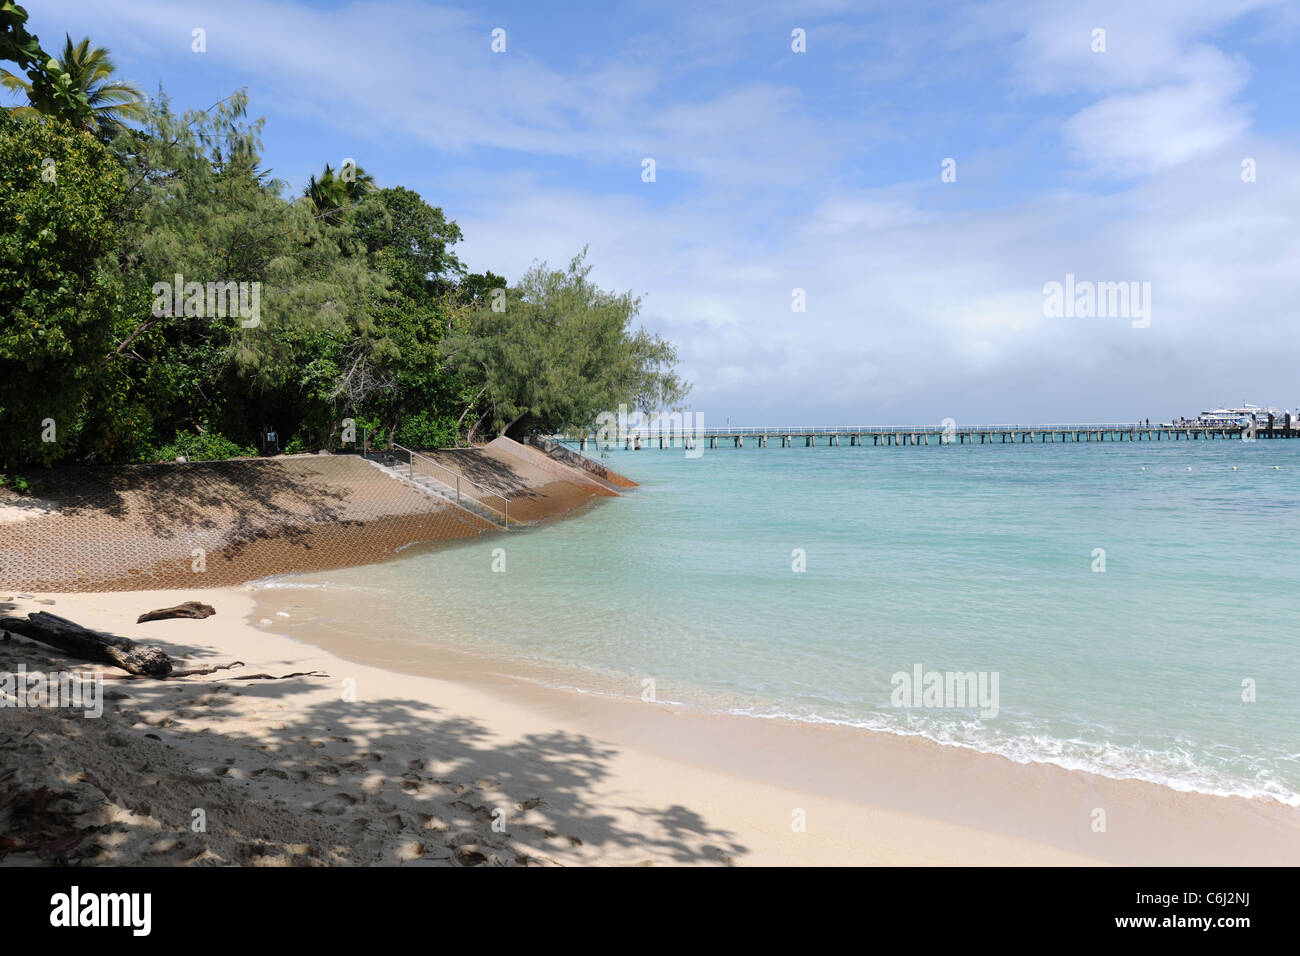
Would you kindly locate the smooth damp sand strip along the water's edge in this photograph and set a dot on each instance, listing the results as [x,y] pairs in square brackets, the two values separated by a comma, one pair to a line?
[814,756]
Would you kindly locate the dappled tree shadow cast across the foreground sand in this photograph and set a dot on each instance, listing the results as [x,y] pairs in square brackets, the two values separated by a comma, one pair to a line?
[375,782]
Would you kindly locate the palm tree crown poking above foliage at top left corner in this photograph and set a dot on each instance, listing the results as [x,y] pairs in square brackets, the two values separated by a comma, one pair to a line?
[89,71]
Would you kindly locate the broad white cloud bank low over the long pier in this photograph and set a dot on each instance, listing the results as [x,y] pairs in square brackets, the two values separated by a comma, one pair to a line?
[911,315]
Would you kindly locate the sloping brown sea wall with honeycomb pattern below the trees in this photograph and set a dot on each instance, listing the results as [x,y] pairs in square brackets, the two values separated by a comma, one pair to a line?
[220,524]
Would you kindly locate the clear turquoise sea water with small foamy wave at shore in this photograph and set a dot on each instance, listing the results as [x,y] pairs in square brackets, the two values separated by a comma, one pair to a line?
[955,559]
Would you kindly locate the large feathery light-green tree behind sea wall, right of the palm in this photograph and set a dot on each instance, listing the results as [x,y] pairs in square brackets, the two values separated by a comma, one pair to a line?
[201,207]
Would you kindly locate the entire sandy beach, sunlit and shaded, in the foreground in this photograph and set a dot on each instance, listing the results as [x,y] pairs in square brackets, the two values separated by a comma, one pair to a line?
[422,771]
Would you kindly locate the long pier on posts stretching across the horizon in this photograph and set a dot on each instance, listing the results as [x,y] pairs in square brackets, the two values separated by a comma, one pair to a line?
[900,436]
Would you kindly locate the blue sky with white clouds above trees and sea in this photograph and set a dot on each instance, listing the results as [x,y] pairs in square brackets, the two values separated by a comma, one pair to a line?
[860,232]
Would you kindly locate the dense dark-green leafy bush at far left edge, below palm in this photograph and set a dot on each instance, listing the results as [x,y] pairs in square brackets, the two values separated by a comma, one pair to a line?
[57,301]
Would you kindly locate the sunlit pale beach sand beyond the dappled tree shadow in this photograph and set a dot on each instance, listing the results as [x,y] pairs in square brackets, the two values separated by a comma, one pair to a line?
[638,782]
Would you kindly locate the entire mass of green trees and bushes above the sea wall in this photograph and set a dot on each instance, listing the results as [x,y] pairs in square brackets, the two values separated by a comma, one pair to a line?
[365,310]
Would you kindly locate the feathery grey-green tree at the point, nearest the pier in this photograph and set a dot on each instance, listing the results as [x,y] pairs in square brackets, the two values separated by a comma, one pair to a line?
[562,352]
